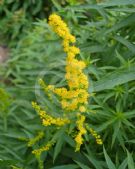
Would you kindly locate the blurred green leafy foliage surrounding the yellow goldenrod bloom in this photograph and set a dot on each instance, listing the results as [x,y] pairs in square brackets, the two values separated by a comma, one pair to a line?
[105,32]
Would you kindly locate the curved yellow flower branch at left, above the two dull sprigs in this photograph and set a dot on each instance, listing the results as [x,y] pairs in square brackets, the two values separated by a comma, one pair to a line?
[48,120]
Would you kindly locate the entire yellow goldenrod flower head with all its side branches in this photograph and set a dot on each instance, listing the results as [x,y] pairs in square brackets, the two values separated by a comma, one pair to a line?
[73,98]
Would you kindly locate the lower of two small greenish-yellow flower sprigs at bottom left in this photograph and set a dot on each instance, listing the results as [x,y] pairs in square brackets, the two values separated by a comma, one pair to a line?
[37,152]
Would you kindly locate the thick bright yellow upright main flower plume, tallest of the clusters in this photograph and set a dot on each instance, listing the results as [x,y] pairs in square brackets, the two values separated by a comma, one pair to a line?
[75,98]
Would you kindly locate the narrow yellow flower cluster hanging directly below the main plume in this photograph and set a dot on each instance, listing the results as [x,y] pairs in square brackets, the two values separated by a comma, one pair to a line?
[82,131]
